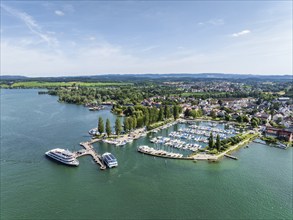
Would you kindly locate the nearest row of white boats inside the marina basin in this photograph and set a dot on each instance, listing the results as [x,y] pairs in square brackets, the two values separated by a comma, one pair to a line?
[176,143]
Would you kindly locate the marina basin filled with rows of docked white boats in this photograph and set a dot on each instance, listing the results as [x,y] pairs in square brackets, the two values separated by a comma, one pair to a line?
[190,138]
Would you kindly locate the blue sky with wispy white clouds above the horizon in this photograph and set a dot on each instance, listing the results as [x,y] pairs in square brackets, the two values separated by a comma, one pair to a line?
[70,38]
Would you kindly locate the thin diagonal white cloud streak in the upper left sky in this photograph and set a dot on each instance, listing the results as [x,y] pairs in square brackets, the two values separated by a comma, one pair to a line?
[32,24]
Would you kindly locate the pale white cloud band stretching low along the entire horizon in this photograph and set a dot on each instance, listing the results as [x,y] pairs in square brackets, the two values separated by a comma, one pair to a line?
[108,58]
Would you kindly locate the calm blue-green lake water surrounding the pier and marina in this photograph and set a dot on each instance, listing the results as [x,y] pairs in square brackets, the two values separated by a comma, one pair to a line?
[258,185]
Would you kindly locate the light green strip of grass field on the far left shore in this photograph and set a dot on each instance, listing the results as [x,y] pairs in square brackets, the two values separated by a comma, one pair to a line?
[37,84]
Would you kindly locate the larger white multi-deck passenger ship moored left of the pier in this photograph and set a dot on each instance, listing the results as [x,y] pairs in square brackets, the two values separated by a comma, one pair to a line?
[63,156]
